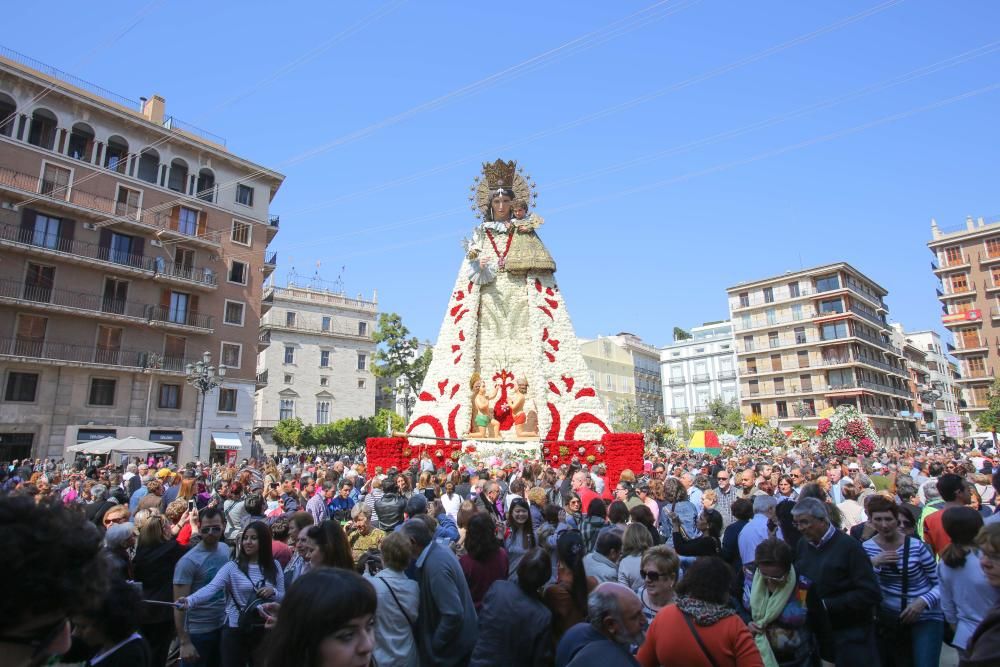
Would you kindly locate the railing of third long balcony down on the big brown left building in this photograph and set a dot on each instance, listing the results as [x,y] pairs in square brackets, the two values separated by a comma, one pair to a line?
[98,303]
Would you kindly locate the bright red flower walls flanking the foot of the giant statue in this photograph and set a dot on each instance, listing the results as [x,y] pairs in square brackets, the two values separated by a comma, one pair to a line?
[617,451]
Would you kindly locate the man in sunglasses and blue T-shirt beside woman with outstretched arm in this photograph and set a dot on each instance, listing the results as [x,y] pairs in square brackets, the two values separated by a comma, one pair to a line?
[200,634]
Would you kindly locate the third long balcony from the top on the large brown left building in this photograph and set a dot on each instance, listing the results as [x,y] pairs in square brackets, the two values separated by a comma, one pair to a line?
[100,307]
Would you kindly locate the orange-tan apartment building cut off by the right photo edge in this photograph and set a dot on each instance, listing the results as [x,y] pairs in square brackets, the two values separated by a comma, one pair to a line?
[967,262]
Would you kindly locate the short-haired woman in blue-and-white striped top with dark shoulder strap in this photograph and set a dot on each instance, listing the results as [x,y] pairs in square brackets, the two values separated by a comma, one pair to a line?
[910,623]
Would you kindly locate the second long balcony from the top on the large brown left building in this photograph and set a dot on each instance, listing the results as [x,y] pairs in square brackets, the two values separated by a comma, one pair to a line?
[27,239]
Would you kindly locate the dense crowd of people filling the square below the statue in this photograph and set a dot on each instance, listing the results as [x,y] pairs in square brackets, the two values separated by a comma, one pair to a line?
[785,560]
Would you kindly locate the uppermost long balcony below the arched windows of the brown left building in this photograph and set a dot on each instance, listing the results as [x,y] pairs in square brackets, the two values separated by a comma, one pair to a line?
[76,198]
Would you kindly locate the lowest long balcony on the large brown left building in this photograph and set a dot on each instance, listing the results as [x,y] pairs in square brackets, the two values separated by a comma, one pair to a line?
[21,349]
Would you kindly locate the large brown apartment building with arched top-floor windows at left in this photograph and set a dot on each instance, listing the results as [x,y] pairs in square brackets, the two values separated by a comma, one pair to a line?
[130,244]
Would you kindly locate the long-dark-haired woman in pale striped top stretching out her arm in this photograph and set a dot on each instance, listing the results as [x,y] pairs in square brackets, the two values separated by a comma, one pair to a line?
[254,574]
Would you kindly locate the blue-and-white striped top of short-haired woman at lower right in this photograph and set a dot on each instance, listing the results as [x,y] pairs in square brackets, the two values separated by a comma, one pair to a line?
[921,575]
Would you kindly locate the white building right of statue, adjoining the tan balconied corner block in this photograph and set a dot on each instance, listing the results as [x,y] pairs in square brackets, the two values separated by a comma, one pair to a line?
[699,370]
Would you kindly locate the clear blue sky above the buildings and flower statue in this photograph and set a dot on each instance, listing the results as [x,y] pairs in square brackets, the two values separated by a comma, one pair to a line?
[679,147]
